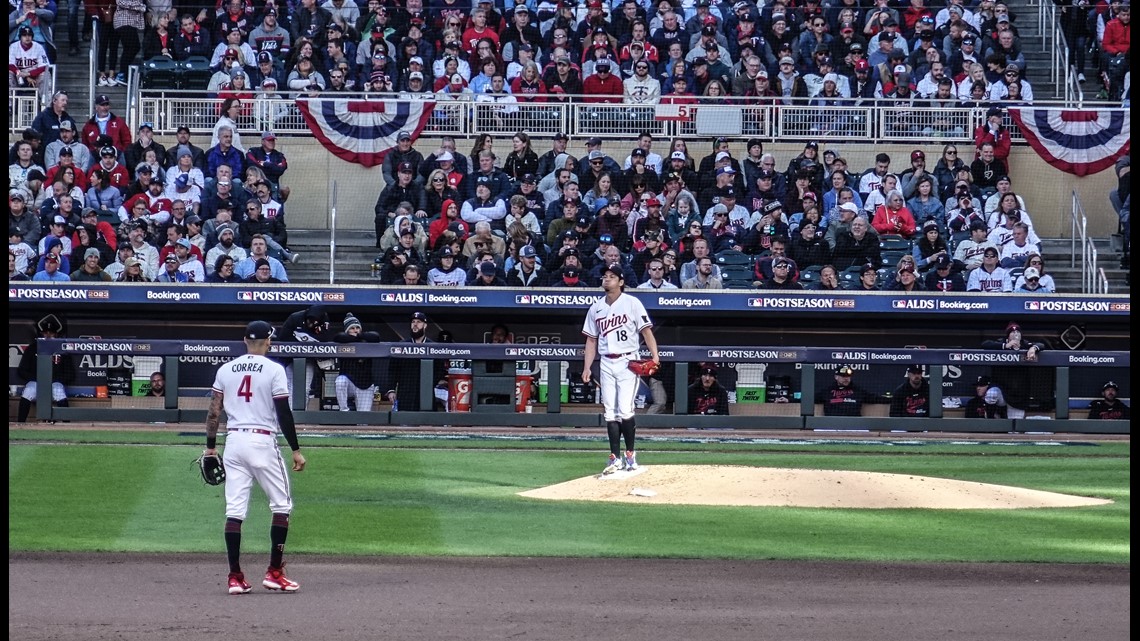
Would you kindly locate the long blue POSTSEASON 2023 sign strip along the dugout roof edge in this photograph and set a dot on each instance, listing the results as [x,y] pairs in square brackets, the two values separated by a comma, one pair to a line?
[675,302]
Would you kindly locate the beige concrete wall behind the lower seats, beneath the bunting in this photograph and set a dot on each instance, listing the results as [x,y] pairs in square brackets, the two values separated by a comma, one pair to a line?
[314,174]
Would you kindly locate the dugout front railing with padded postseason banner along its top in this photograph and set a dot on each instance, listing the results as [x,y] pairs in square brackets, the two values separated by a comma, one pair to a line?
[682,356]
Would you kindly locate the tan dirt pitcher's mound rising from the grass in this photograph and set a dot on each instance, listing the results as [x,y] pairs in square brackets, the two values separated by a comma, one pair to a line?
[732,485]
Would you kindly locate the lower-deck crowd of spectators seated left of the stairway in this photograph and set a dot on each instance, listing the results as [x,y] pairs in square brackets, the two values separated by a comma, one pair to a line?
[96,202]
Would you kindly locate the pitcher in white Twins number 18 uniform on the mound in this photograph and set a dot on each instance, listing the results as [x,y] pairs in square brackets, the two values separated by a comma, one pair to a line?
[614,329]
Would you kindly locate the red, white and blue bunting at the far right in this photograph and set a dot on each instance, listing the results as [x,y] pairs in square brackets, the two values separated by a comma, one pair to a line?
[1080,142]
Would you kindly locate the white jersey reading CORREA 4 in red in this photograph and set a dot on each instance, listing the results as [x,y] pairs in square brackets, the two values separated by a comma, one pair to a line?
[250,385]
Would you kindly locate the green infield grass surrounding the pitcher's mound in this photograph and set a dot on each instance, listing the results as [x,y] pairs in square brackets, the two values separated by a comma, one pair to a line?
[140,492]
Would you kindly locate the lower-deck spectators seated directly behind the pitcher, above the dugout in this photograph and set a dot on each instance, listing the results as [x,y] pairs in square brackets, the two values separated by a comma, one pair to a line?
[551,216]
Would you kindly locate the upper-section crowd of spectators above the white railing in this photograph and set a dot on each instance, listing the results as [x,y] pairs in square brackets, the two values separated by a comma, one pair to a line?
[530,52]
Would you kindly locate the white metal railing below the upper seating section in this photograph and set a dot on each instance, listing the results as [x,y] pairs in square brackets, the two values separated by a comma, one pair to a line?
[873,121]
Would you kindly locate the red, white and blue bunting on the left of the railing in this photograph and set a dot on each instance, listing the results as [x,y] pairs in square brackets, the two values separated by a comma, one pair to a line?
[363,132]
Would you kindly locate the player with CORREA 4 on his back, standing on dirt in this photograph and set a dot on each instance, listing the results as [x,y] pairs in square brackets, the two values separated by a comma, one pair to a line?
[255,394]
